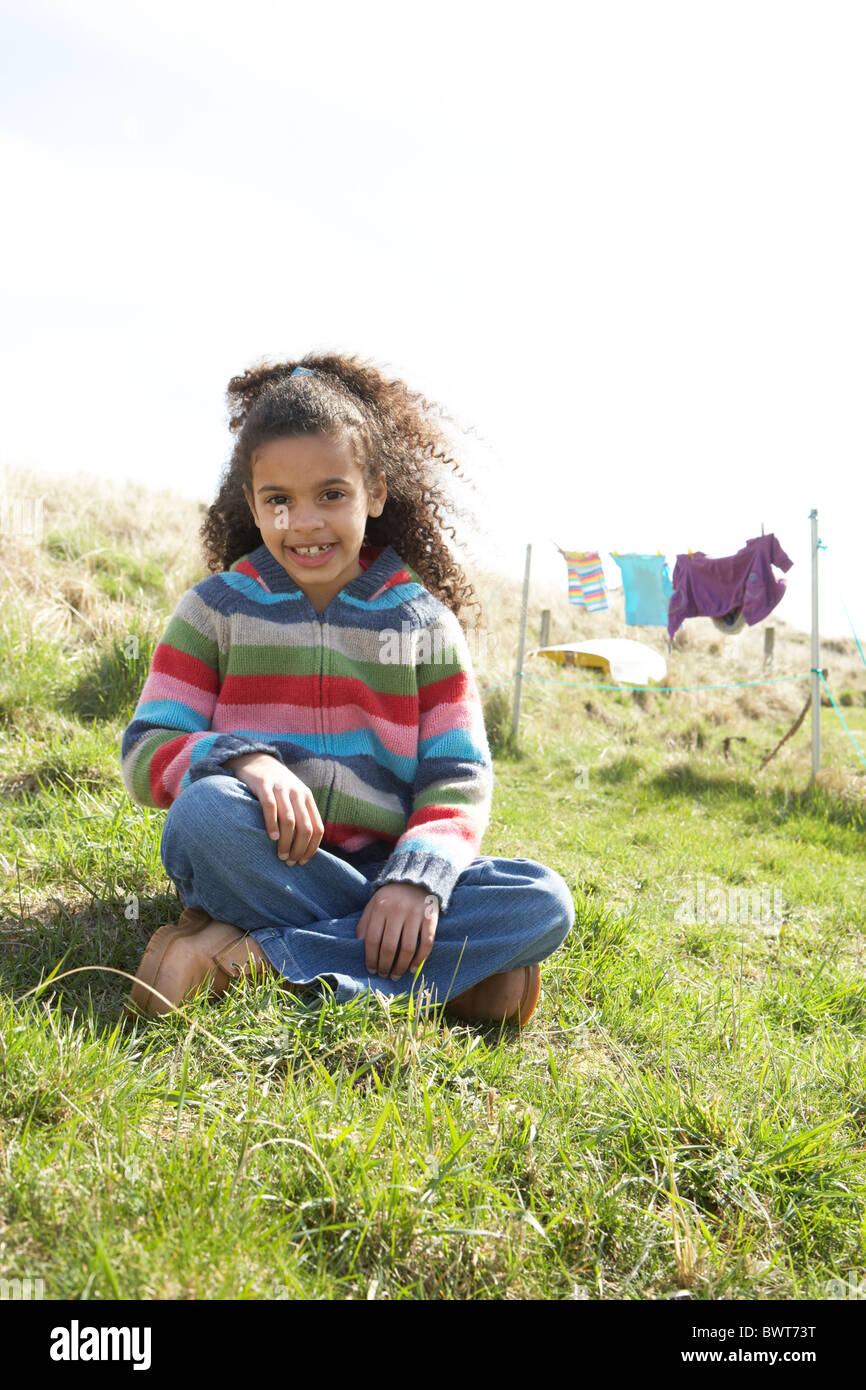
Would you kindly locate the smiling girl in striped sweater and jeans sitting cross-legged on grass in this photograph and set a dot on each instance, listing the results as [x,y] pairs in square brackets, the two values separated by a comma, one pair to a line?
[313,725]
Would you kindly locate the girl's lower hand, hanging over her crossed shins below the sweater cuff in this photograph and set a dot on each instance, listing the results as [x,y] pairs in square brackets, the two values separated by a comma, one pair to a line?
[398,925]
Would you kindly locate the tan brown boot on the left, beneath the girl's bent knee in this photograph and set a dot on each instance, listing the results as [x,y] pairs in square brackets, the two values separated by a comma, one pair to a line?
[183,956]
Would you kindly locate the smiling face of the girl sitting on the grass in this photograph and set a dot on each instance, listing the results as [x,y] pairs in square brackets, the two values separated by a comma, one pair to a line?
[309,494]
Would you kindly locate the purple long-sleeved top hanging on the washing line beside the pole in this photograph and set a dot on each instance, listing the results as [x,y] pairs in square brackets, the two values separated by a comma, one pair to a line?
[708,587]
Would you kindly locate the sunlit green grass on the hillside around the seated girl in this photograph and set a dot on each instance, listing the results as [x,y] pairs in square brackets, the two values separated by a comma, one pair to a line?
[686,1117]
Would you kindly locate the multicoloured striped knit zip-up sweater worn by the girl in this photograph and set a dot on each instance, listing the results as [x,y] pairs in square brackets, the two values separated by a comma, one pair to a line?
[373,704]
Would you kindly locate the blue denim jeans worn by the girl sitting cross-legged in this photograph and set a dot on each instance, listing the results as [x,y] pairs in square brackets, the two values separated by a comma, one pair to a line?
[504,914]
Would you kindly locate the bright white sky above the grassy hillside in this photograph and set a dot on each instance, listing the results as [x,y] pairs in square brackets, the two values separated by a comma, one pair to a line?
[622,244]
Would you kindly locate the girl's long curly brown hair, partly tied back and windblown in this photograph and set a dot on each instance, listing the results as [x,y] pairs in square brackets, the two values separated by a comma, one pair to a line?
[391,429]
